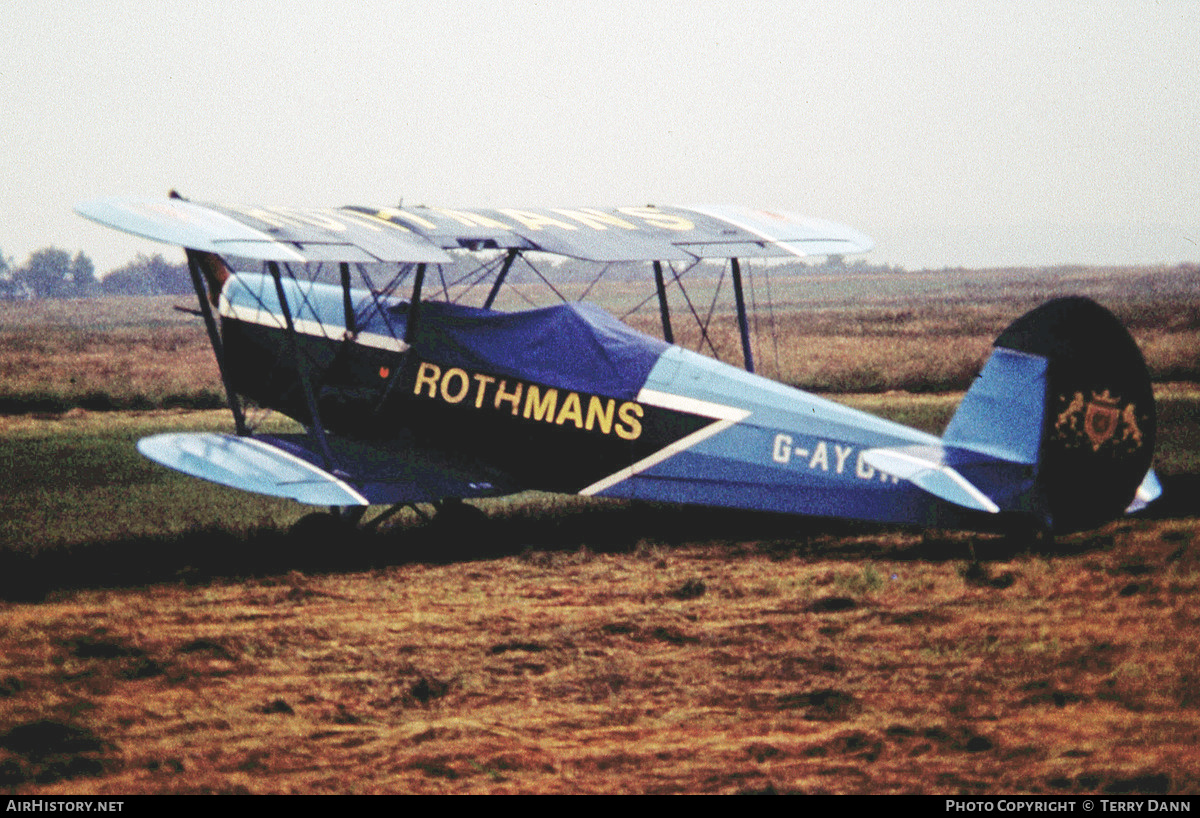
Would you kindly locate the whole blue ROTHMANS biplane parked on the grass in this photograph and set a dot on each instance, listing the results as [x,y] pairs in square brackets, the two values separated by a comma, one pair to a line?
[381,330]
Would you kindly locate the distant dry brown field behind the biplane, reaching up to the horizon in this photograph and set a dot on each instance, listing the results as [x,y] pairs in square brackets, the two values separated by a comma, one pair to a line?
[921,333]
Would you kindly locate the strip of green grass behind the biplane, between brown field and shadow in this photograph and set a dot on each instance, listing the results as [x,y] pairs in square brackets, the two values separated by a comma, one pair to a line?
[80,479]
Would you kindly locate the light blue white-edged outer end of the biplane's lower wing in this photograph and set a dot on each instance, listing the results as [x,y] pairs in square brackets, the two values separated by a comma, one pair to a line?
[251,466]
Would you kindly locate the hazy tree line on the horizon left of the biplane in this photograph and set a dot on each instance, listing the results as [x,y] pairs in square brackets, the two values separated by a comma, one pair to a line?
[52,273]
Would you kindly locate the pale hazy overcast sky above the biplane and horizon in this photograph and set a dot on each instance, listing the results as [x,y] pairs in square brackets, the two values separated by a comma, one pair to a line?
[961,134]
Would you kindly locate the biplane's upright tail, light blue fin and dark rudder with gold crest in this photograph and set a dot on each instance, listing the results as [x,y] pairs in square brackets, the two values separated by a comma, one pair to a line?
[1061,423]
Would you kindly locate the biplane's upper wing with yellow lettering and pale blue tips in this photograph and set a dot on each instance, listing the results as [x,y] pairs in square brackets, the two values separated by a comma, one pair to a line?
[423,234]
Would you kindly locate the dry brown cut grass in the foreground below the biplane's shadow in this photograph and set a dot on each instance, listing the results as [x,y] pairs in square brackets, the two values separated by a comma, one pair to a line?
[873,663]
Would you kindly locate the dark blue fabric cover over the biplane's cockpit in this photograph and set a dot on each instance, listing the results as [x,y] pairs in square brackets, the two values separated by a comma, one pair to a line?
[571,346]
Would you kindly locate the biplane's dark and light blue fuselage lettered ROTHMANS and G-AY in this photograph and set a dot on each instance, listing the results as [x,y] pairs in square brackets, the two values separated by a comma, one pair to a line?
[689,430]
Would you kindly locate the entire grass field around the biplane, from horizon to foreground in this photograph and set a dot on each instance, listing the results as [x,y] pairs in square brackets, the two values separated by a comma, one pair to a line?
[160,635]
